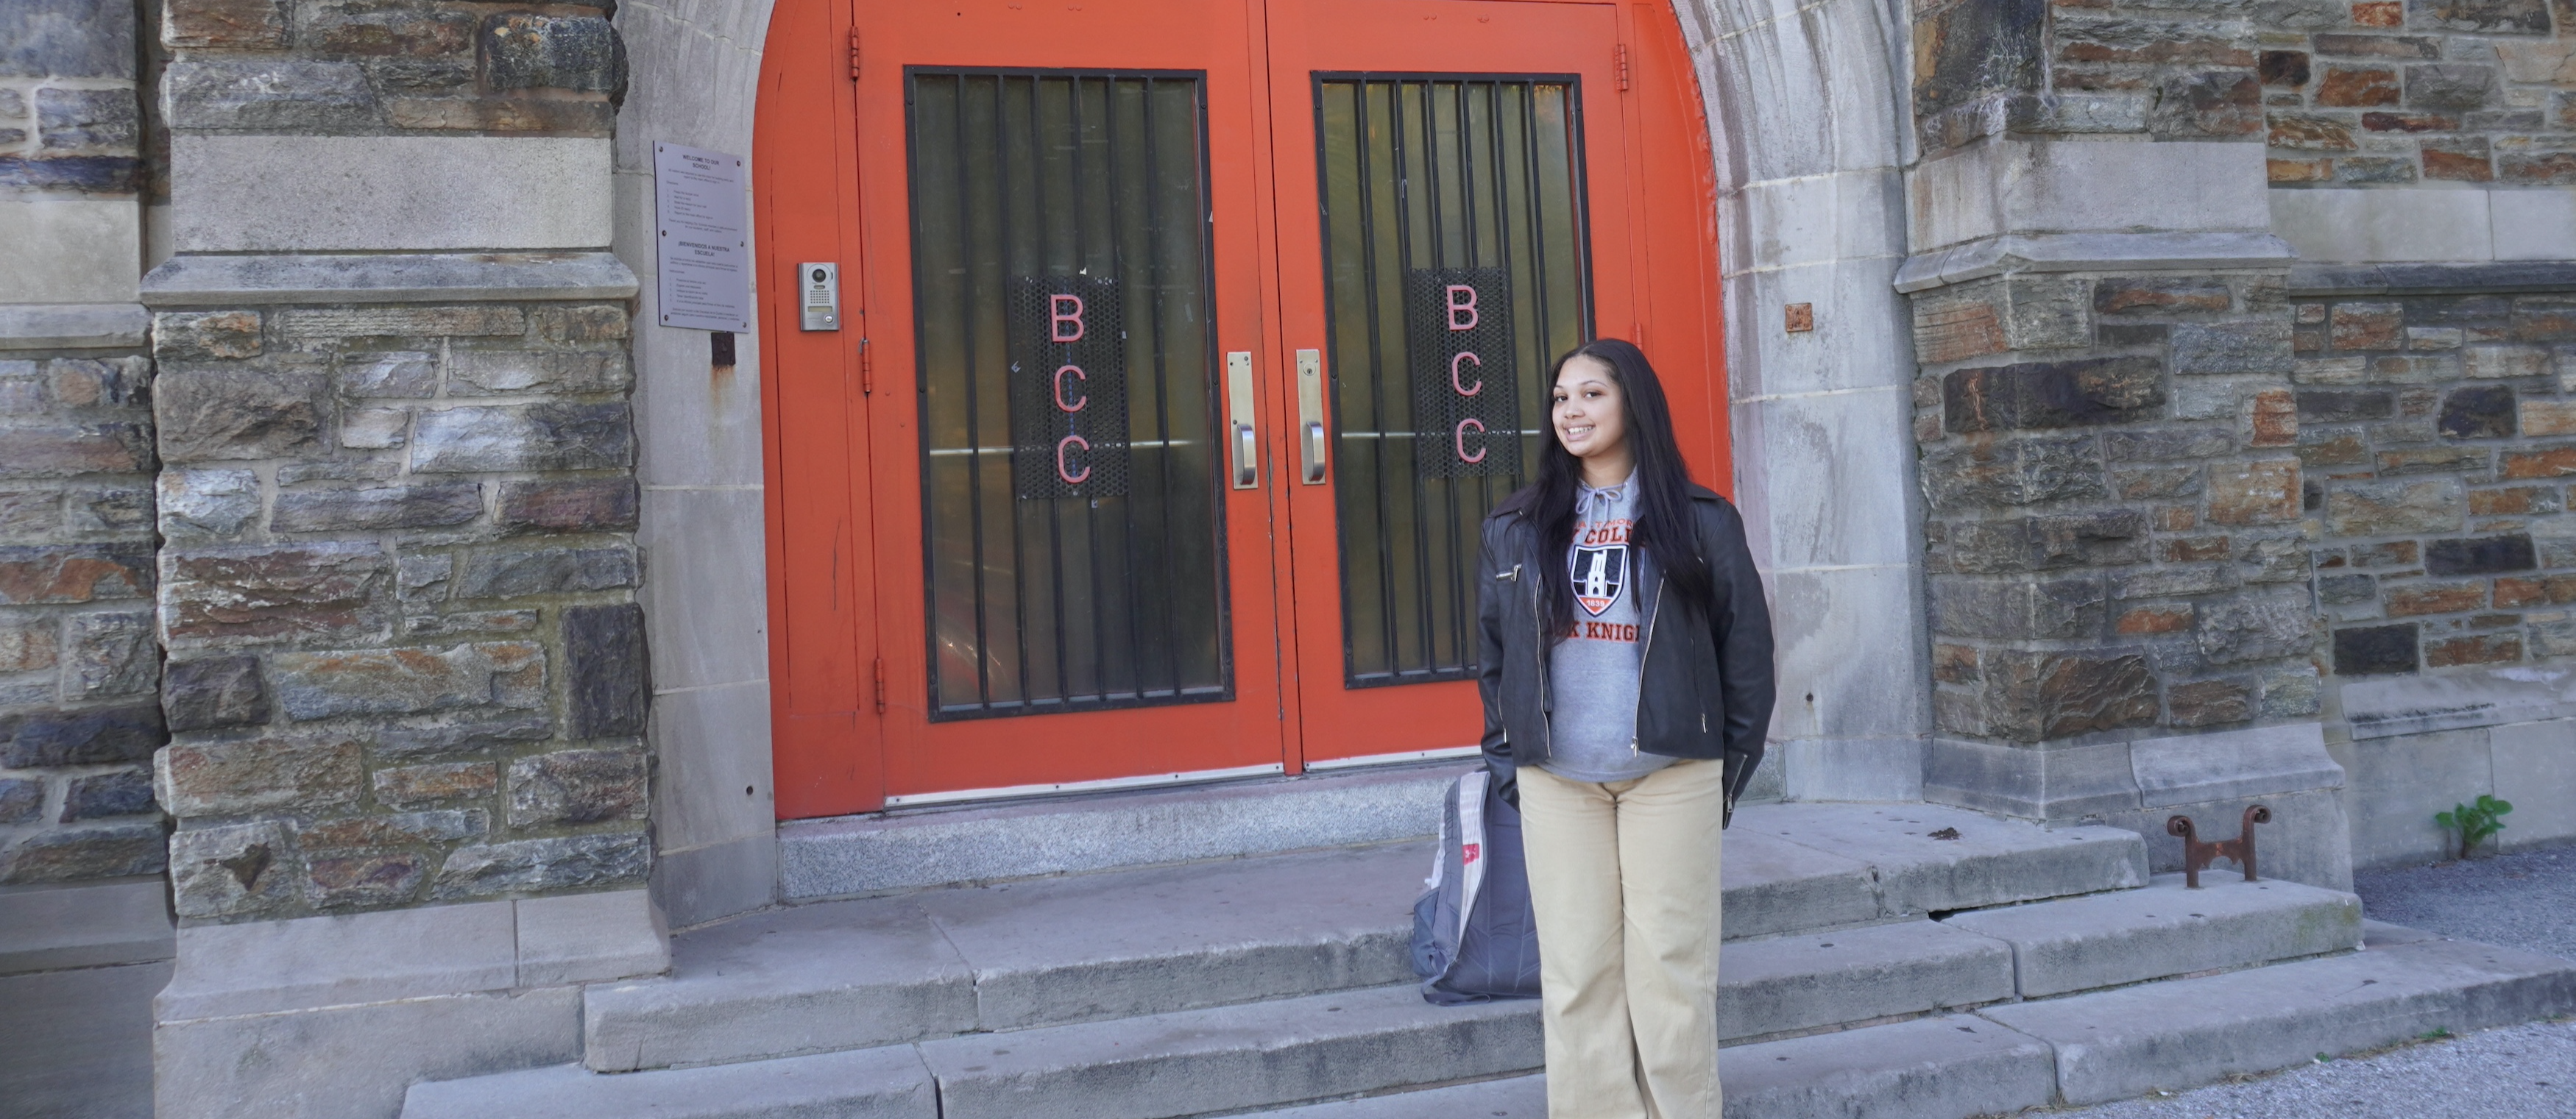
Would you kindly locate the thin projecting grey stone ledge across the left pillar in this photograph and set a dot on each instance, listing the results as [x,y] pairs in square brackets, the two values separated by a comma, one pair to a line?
[388,279]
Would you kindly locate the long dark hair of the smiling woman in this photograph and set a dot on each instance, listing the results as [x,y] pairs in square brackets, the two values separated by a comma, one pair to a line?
[1663,493]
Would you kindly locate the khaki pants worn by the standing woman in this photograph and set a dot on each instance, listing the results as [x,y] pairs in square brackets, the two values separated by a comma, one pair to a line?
[1624,878]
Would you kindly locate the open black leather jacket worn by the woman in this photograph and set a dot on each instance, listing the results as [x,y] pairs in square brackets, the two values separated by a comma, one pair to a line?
[1707,680]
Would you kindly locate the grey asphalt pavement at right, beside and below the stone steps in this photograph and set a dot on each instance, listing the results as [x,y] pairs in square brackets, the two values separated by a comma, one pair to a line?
[2523,902]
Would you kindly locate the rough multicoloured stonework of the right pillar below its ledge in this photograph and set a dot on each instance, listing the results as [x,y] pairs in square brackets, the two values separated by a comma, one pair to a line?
[2114,505]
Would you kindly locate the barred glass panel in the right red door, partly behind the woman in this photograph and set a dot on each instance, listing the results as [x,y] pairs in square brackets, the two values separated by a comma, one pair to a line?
[1457,269]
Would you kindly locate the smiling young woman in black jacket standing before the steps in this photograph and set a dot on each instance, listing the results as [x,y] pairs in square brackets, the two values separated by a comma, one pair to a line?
[1627,693]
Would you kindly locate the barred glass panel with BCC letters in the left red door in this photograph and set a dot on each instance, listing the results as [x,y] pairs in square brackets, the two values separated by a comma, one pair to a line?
[1075,539]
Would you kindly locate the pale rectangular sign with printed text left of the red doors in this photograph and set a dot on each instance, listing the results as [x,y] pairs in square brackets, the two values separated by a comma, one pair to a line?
[702,241]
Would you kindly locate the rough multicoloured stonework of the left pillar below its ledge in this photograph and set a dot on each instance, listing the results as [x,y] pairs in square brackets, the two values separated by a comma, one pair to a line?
[398,596]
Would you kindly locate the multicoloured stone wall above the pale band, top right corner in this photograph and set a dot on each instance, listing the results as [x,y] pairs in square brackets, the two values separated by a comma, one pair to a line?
[2430,91]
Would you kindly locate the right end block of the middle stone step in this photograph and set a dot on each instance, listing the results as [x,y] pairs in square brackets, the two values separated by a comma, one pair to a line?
[2108,940]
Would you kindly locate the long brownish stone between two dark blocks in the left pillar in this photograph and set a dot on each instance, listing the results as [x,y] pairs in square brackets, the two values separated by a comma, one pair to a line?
[411,680]
